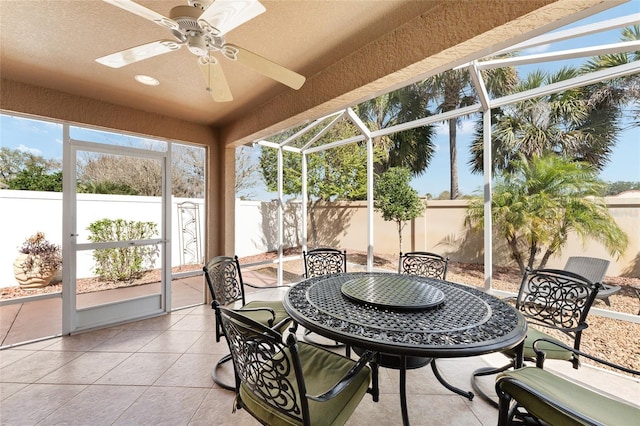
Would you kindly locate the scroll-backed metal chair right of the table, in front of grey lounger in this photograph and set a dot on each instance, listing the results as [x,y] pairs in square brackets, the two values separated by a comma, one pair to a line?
[549,299]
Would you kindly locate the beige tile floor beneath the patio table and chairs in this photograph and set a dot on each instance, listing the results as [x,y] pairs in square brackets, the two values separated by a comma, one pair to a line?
[158,372]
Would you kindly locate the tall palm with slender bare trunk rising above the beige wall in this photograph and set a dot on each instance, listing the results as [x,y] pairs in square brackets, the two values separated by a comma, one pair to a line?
[454,89]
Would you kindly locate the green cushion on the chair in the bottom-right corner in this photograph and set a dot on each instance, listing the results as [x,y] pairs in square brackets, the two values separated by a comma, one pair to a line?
[566,397]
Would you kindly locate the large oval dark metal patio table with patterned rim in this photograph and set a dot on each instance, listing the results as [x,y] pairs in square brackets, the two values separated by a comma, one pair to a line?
[468,322]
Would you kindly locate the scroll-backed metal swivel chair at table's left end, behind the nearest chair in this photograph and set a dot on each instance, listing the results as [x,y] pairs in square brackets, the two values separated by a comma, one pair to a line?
[224,279]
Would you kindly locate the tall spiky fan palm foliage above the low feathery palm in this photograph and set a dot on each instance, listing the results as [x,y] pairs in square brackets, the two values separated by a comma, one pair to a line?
[571,123]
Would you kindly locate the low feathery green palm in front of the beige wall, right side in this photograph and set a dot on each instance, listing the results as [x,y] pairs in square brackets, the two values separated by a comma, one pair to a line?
[537,204]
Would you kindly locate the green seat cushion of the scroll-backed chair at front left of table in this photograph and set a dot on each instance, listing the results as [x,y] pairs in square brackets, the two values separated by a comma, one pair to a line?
[321,370]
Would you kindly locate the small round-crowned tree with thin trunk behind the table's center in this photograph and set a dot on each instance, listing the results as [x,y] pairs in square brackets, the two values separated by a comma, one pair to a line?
[396,199]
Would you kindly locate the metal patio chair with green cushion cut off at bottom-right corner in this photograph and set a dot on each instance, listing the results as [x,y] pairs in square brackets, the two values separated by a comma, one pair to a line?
[531,395]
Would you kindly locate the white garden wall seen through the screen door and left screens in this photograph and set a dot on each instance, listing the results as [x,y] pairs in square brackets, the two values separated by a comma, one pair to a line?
[26,212]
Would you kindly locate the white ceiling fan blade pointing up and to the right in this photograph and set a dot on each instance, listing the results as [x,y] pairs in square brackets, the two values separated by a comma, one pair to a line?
[224,15]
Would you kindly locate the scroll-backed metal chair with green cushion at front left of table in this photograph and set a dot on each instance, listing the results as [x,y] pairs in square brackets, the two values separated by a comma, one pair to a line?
[281,381]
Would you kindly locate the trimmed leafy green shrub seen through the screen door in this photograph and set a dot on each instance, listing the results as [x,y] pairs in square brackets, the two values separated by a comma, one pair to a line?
[123,263]
